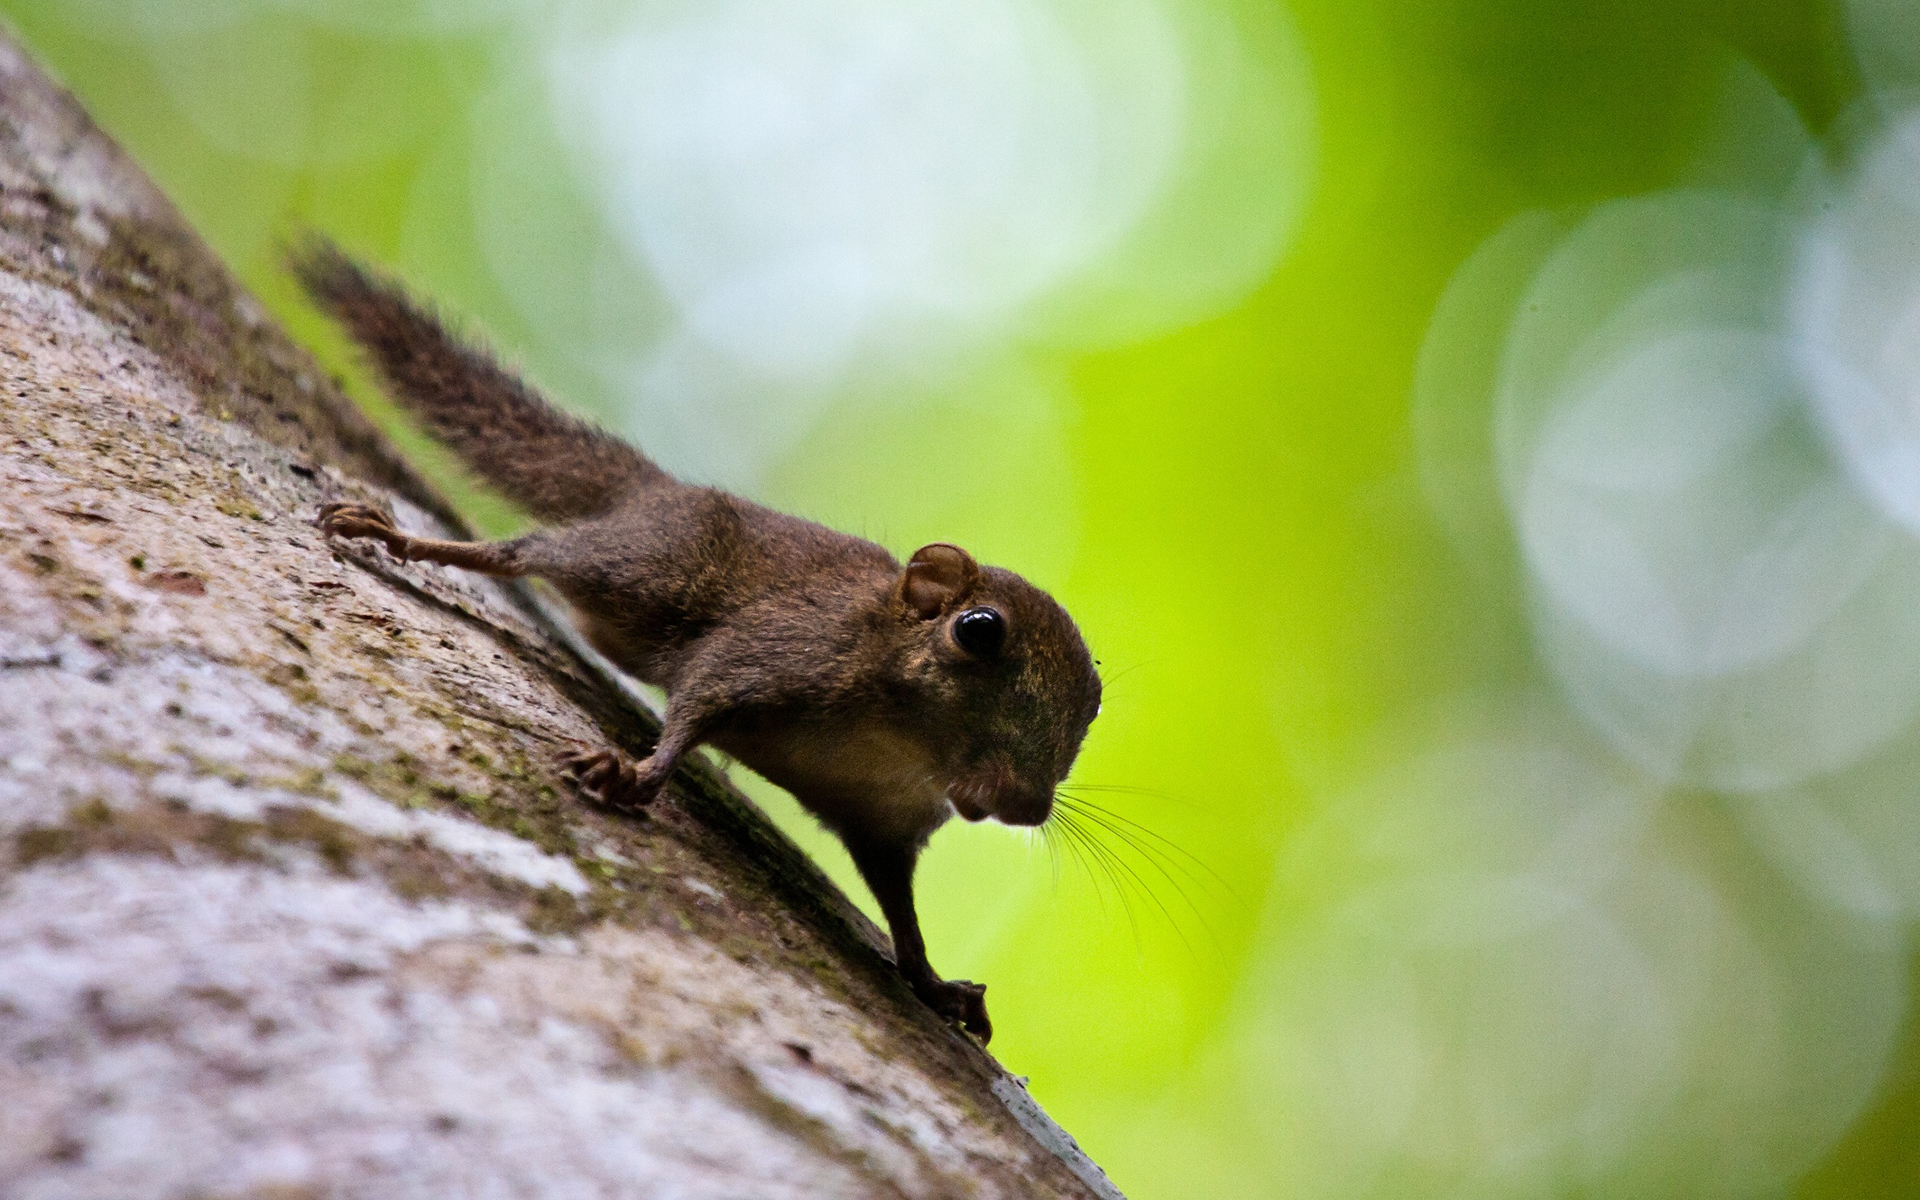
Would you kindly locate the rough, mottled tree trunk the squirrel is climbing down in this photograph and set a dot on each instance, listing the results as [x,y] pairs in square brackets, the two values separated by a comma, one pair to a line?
[293,900]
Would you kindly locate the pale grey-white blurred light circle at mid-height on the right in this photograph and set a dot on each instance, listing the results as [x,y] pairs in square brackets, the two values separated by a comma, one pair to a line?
[1710,587]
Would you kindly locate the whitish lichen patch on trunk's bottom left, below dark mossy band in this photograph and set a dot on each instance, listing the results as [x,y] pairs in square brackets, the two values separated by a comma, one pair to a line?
[239,1030]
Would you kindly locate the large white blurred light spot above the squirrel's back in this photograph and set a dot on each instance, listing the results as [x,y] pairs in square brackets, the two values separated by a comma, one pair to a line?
[809,180]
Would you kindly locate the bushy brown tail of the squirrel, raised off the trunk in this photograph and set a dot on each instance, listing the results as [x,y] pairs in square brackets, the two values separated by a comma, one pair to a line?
[548,462]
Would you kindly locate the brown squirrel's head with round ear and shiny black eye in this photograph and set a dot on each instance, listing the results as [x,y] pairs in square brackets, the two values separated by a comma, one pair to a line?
[1005,683]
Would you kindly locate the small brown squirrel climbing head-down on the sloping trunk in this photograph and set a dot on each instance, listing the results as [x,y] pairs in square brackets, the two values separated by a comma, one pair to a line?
[884,698]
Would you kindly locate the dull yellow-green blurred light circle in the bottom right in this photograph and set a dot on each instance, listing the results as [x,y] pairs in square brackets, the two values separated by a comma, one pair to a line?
[1520,972]
